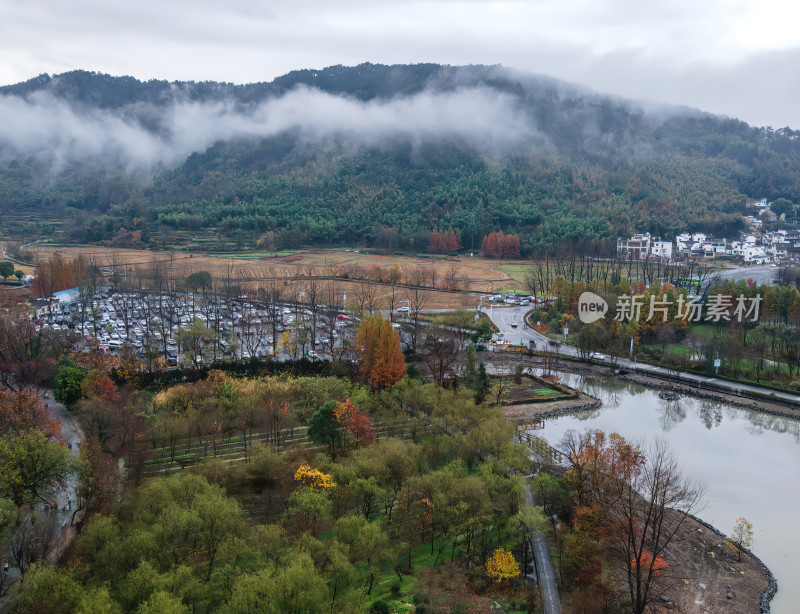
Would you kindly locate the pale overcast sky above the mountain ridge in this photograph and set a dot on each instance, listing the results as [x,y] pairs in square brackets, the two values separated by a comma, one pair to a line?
[735,57]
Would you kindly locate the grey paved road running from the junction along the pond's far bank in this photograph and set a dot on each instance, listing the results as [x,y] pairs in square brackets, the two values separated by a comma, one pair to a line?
[503,317]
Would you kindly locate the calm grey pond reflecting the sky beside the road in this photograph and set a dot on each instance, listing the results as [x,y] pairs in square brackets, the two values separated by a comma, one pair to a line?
[749,462]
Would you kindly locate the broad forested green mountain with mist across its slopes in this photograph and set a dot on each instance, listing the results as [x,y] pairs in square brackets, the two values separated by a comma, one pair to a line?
[374,154]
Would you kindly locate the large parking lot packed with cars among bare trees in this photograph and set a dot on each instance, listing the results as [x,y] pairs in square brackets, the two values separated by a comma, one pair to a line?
[192,330]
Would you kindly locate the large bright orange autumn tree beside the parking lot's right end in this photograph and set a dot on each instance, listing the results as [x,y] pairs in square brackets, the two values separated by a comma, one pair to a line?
[378,347]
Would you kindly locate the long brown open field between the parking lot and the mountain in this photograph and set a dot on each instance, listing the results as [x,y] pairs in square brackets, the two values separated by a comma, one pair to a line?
[474,275]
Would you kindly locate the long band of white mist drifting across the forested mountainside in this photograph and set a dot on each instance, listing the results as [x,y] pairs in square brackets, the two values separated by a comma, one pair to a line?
[53,131]
